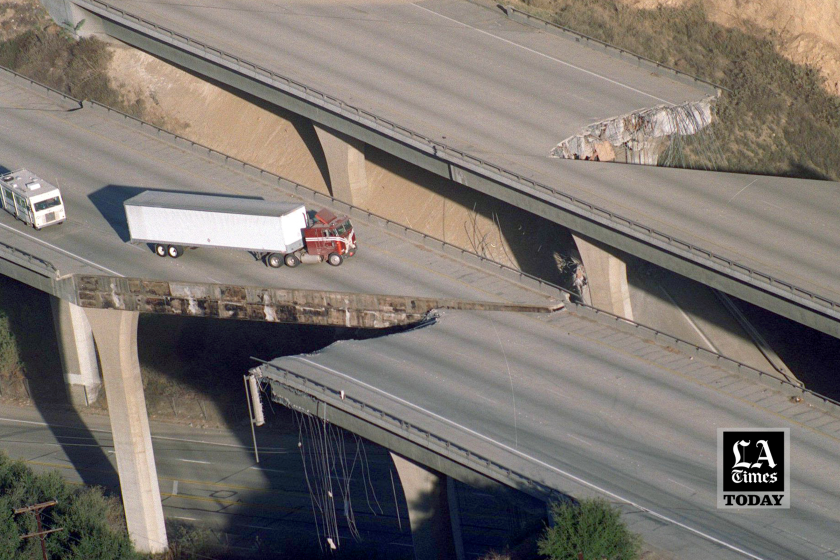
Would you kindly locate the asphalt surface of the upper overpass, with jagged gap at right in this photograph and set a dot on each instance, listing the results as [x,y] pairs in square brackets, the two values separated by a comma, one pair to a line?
[467,77]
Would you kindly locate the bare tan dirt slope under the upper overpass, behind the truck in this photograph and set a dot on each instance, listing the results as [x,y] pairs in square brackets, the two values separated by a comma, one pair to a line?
[286,144]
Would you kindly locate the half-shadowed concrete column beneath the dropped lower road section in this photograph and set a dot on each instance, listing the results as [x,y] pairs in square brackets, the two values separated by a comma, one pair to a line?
[427,497]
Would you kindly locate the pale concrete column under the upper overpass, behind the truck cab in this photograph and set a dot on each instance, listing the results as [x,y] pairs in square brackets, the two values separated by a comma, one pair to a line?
[346,164]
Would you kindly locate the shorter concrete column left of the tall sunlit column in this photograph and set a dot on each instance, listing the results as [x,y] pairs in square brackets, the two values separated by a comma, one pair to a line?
[78,352]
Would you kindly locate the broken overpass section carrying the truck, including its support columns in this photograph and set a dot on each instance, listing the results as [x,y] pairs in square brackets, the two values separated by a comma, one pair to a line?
[101,282]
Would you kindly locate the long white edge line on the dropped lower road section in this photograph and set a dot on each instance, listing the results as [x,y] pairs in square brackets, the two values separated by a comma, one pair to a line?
[533,459]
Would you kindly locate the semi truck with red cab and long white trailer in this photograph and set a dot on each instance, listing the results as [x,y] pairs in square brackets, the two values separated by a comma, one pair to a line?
[276,232]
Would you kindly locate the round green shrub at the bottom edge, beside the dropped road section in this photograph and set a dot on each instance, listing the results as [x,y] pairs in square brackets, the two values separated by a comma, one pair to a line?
[592,528]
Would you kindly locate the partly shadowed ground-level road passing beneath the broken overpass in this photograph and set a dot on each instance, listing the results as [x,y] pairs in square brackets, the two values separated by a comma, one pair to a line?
[209,479]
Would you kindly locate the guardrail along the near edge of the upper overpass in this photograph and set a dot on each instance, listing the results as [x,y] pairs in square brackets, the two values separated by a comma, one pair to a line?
[481,167]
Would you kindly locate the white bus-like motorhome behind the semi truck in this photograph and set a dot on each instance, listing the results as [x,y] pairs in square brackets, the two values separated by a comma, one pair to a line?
[31,200]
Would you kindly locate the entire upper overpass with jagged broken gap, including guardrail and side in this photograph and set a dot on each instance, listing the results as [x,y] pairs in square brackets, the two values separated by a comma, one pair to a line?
[471,94]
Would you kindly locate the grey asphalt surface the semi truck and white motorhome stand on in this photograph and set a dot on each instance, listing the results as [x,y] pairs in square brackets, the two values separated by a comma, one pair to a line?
[98,162]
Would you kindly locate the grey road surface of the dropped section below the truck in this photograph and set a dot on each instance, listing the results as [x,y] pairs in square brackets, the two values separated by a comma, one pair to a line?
[584,408]
